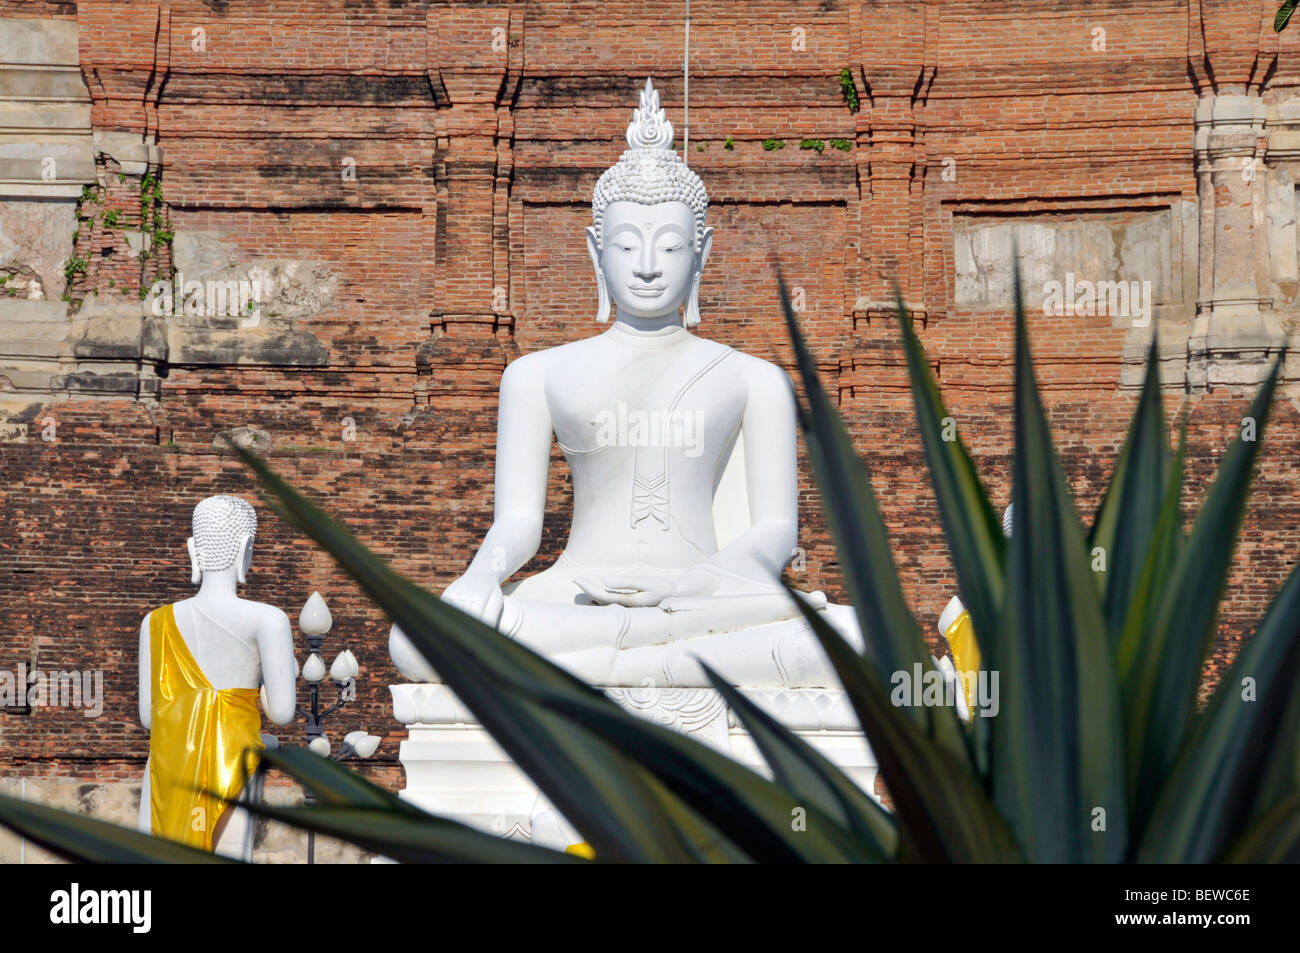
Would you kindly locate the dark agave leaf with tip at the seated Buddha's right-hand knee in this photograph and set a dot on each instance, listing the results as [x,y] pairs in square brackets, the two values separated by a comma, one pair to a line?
[944,816]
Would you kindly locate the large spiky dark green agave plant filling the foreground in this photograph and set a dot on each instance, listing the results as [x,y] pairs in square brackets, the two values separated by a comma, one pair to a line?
[1099,752]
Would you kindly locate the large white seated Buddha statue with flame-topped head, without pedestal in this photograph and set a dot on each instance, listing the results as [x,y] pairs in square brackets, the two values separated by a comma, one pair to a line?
[683,454]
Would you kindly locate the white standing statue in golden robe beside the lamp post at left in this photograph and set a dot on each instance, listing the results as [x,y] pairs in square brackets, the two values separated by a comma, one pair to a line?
[202,665]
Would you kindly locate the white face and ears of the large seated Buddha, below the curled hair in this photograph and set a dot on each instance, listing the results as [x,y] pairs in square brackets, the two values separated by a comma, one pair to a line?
[648,261]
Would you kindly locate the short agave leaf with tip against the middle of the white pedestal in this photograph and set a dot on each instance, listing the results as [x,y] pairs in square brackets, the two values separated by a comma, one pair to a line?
[809,776]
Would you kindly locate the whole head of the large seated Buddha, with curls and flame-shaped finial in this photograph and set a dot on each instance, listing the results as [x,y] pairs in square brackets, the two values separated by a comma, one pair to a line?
[649,241]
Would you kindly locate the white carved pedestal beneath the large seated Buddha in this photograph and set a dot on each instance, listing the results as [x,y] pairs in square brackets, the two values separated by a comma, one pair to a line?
[454,768]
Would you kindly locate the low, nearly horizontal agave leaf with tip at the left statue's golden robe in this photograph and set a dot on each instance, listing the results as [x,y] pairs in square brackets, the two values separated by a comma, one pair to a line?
[411,839]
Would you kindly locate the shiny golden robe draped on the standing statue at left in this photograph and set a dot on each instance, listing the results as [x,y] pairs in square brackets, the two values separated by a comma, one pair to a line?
[197,739]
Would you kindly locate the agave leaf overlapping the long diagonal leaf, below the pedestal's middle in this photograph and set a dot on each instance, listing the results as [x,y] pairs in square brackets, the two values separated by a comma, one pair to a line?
[749,809]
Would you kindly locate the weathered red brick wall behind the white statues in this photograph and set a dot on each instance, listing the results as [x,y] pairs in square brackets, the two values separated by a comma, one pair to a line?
[458,246]
